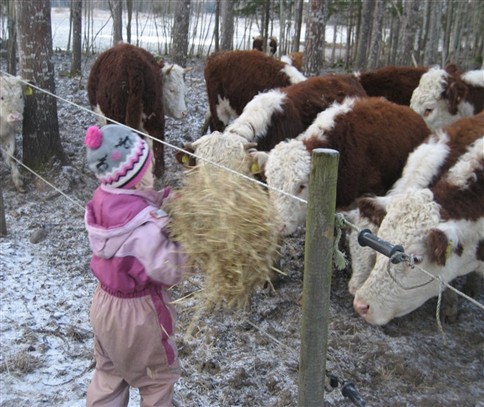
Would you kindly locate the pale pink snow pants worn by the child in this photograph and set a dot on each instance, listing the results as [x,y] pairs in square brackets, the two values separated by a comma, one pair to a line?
[129,352]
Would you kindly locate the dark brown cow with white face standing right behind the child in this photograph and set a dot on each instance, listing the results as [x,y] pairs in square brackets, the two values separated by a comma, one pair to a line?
[128,85]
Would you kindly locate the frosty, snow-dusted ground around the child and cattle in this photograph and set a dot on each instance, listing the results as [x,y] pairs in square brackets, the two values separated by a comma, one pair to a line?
[230,359]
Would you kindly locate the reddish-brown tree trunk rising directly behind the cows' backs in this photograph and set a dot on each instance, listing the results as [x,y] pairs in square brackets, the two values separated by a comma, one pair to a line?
[313,60]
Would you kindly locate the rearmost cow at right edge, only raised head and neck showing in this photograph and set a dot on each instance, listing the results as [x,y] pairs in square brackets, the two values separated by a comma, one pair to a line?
[445,95]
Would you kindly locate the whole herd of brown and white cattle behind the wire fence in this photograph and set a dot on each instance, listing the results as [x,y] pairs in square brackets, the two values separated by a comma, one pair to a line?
[411,144]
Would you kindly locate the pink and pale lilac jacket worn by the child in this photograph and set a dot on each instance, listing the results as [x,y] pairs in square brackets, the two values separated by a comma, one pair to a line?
[133,255]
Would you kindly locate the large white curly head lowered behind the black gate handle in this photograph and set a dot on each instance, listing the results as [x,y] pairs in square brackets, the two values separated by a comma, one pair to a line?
[413,220]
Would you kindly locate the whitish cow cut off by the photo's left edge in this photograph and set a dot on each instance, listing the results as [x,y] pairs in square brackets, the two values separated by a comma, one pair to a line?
[11,117]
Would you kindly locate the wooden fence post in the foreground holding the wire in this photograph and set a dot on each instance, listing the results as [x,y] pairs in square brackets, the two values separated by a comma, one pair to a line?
[318,266]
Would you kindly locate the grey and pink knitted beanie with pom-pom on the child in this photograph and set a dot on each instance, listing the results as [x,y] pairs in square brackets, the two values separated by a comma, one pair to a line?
[116,155]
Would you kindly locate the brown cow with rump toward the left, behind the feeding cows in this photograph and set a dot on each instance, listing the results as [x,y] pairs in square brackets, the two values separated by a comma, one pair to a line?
[233,78]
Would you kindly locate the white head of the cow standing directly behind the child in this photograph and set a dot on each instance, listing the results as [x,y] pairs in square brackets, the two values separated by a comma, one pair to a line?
[174,90]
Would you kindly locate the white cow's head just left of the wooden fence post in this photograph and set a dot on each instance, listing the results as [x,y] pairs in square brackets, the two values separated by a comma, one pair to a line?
[286,169]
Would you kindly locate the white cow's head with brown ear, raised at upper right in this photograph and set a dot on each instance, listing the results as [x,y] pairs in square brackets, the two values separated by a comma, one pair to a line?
[440,97]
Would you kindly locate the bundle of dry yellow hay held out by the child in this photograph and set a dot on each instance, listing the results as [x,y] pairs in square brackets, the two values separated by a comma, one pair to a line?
[227,226]
